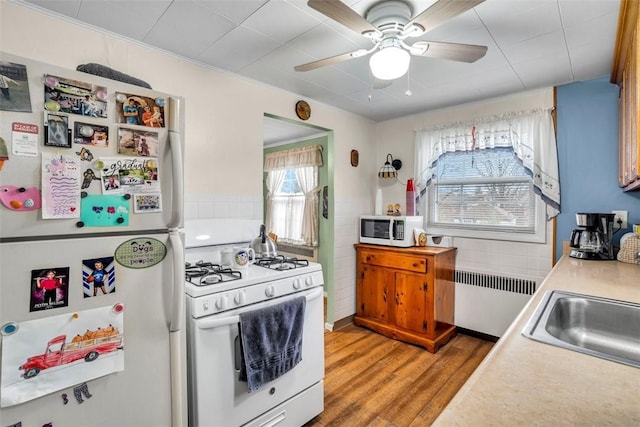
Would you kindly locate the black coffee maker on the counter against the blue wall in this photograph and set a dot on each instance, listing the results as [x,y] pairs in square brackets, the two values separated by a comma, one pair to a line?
[594,241]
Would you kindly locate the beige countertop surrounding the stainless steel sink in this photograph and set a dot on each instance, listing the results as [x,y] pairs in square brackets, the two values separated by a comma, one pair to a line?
[523,382]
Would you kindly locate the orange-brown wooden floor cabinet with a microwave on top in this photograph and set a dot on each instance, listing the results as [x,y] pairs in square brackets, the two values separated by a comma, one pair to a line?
[406,293]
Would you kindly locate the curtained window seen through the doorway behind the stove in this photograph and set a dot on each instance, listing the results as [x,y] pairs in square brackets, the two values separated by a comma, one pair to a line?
[294,219]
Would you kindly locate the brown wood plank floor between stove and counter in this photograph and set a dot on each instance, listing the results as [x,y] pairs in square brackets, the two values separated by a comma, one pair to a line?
[374,381]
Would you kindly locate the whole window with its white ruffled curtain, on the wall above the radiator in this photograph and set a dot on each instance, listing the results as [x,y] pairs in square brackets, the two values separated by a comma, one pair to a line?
[493,178]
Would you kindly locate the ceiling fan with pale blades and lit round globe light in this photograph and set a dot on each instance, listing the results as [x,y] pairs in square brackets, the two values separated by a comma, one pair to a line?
[388,24]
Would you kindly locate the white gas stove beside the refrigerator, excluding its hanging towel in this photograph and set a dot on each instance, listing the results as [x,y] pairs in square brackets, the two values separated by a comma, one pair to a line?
[216,298]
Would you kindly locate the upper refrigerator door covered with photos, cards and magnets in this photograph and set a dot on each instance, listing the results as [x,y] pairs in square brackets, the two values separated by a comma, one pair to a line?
[32,170]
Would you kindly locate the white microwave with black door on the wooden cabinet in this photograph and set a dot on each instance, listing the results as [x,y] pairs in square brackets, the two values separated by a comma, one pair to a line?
[389,230]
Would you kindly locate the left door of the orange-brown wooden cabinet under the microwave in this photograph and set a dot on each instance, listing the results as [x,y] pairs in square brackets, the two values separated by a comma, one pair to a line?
[376,286]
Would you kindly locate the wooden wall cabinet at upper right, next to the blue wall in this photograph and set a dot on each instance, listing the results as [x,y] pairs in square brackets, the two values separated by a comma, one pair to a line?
[626,66]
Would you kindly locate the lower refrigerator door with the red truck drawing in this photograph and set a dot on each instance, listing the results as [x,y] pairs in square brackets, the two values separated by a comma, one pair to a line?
[139,395]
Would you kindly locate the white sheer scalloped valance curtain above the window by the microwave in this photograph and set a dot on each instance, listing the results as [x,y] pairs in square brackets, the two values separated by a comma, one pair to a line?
[530,133]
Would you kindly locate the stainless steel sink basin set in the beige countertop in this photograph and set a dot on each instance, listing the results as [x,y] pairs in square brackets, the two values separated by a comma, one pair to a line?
[601,327]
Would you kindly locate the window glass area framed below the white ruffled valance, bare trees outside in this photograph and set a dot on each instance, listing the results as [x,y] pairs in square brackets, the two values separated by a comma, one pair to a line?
[482,190]
